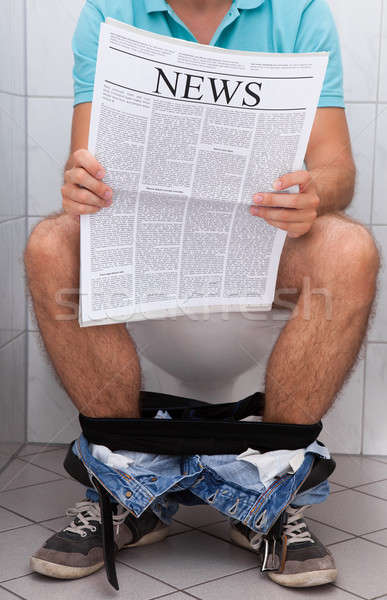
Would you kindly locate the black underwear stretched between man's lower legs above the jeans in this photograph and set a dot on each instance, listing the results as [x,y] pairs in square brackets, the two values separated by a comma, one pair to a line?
[197,428]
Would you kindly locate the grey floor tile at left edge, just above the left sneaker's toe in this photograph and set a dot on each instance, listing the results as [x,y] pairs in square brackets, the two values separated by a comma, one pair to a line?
[46,501]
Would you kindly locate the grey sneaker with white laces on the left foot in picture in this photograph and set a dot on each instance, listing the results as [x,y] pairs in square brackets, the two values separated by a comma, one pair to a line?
[77,551]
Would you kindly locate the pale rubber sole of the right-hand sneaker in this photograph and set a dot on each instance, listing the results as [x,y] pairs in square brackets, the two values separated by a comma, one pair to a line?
[301,580]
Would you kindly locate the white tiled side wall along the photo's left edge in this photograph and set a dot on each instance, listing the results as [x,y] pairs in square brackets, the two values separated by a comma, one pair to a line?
[12,227]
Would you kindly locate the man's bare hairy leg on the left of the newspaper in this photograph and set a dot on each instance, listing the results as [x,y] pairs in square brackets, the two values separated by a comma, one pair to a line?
[98,366]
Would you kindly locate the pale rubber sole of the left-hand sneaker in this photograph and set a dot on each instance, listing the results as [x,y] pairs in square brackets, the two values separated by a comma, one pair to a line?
[57,571]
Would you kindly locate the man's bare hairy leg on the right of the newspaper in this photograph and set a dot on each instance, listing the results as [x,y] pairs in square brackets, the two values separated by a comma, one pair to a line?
[332,271]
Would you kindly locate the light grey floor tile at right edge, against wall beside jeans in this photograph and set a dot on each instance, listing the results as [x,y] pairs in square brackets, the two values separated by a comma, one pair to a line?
[352,470]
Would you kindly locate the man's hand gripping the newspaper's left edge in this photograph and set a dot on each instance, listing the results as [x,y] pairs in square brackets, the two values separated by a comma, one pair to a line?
[83,191]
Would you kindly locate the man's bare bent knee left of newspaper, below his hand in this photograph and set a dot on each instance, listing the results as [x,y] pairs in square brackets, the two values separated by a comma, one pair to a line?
[48,242]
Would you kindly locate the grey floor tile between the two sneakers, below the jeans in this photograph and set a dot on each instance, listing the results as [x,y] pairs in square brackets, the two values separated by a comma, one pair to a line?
[188,559]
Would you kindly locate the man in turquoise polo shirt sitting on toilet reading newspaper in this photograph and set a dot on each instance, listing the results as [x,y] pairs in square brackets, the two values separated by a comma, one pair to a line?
[98,366]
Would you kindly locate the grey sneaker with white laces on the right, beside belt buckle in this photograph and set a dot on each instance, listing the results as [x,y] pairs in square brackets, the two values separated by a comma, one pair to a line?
[307,562]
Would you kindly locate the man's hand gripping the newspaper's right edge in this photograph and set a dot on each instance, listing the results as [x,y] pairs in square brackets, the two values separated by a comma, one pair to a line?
[295,213]
